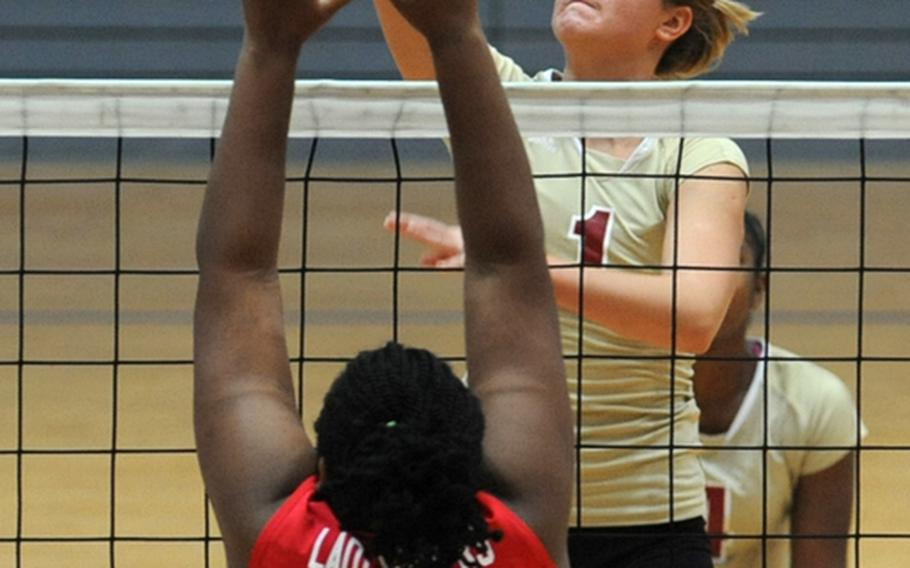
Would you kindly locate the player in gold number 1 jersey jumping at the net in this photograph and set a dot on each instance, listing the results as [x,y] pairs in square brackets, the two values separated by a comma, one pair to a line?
[638,398]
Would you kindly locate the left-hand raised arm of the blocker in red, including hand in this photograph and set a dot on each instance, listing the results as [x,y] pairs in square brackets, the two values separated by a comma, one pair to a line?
[252,448]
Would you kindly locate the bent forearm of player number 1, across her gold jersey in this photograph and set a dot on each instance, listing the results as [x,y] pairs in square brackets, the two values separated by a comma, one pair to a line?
[640,306]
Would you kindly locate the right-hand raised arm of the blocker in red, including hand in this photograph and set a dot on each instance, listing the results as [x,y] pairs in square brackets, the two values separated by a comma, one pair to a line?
[512,335]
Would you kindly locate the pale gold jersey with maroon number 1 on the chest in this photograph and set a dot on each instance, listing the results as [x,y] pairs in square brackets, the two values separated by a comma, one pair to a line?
[635,398]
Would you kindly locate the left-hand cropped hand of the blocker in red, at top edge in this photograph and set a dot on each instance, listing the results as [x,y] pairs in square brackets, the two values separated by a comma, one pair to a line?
[283,25]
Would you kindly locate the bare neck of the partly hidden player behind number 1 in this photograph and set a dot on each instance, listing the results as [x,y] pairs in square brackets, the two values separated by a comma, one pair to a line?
[721,381]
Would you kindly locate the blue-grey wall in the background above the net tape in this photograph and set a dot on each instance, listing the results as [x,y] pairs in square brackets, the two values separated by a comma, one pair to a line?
[796,39]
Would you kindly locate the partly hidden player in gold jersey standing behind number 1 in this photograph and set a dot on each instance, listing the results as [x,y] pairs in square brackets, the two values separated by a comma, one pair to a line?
[809,488]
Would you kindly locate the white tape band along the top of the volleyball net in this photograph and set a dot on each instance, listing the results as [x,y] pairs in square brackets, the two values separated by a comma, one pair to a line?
[195,109]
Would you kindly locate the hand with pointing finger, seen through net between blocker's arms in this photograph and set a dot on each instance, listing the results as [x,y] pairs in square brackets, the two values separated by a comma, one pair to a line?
[444,243]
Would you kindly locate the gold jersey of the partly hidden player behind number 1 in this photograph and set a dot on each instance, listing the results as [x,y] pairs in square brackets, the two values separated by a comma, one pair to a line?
[809,408]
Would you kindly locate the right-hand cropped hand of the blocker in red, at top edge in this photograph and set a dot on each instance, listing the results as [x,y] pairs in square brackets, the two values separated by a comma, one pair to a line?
[439,20]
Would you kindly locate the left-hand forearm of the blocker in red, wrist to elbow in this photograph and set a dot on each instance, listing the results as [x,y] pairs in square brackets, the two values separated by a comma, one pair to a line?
[240,224]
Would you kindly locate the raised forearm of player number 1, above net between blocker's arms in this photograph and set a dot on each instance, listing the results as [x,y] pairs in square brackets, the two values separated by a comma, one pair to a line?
[408,46]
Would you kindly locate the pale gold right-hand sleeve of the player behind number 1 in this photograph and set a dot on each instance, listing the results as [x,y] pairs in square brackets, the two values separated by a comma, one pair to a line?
[831,423]
